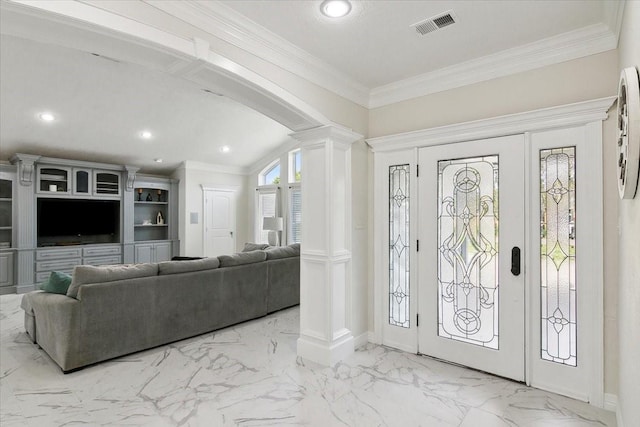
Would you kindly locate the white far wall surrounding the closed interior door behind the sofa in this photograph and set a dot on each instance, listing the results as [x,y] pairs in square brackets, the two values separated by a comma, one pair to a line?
[193,176]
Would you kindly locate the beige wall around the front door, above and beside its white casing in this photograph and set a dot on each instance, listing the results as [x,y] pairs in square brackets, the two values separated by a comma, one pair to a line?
[583,79]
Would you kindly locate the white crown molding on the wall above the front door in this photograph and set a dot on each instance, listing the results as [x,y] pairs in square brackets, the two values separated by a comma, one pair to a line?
[576,44]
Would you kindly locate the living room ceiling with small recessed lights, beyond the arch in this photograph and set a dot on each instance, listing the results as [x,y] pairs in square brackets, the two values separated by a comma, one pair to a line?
[103,105]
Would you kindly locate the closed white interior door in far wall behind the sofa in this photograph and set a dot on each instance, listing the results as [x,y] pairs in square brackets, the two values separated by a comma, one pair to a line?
[220,222]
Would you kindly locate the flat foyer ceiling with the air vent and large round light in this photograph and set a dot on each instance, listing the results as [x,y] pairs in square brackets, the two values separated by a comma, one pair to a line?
[375,46]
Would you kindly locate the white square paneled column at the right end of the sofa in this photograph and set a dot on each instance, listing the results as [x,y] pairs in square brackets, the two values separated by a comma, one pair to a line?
[325,258]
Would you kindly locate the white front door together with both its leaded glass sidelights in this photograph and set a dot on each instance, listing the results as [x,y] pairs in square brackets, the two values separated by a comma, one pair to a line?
[488,251]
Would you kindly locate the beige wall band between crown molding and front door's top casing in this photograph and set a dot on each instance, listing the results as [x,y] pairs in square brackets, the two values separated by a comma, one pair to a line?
[572,81]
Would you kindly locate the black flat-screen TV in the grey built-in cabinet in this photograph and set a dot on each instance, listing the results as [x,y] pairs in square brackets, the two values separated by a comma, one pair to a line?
[77,221]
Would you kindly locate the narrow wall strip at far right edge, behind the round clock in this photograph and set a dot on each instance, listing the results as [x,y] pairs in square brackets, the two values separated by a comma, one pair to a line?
[629,260]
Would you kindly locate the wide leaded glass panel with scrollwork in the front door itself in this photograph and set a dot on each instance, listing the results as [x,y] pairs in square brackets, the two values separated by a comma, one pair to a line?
[468,246]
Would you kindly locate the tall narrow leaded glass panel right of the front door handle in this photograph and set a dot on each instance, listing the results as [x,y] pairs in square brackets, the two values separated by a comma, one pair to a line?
[558,255]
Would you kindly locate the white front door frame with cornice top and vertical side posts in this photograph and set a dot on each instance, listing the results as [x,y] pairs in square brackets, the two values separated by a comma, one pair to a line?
[588,115]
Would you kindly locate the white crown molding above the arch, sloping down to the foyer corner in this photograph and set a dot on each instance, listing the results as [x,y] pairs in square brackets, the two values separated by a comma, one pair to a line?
[226,24]
